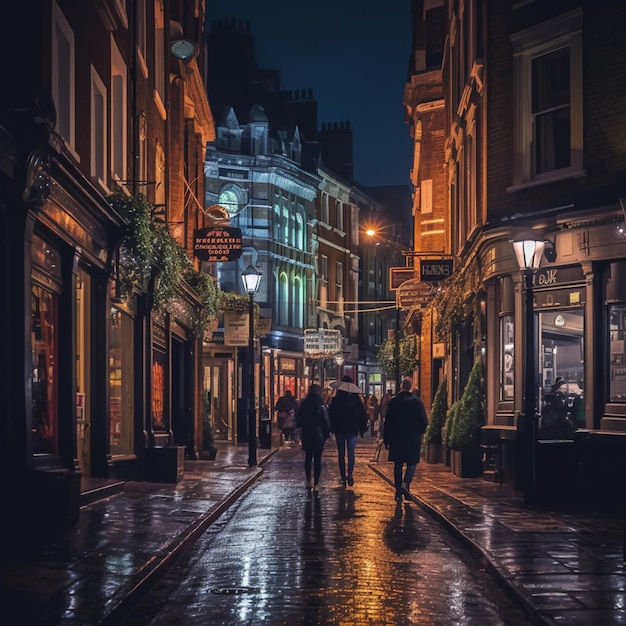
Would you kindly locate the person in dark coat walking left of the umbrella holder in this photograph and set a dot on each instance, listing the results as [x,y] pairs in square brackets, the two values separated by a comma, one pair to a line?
[312,419]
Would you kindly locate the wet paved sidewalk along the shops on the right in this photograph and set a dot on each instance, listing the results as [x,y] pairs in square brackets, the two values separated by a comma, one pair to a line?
[564,568]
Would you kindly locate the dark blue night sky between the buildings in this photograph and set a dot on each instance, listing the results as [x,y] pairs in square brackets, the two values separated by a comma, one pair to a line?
[354,55]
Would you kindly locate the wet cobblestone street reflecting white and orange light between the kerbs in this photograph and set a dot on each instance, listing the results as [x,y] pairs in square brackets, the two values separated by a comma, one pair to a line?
[348,556]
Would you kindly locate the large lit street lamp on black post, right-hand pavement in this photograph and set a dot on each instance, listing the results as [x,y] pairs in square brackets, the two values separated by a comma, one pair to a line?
[528,253]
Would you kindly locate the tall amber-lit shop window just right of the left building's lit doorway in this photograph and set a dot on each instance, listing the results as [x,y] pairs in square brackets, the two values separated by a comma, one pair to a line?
[121,405]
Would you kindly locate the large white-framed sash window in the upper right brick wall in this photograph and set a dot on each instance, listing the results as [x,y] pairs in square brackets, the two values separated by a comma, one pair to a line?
[548,100]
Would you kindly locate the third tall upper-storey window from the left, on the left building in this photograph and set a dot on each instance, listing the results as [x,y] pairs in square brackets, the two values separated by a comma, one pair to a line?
[118,114]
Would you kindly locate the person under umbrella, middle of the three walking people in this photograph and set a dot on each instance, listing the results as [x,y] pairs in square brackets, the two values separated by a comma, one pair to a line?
[348,419]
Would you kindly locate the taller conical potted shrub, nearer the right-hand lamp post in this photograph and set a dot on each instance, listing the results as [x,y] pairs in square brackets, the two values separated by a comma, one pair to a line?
[464,429]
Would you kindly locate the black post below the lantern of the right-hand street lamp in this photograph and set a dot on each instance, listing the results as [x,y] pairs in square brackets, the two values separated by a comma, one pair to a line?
[530,402]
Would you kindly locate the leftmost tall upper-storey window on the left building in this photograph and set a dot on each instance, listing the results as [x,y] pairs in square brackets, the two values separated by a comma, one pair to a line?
[63,75]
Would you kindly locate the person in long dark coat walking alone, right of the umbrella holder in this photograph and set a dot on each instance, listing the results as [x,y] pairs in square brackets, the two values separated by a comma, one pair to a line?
[405,424]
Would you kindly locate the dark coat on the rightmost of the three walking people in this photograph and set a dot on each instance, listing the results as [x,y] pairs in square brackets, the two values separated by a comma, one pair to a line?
[405,424]
